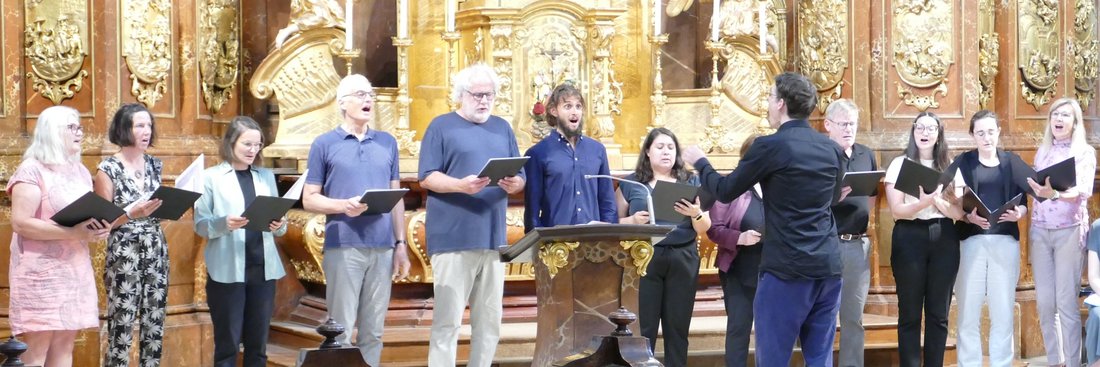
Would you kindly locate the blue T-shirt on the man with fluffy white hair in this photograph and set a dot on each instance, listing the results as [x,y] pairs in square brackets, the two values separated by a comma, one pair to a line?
[458,148]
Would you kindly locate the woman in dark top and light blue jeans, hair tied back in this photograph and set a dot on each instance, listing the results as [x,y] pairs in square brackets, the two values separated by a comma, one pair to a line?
[991,247]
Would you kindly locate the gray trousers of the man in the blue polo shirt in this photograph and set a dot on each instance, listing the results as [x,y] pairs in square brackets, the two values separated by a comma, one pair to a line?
[358,295]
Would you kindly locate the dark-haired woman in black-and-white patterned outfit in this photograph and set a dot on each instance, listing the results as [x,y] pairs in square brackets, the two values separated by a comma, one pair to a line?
[137,268]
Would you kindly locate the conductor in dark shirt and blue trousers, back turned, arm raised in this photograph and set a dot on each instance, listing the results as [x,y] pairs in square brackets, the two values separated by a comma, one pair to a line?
[801,172]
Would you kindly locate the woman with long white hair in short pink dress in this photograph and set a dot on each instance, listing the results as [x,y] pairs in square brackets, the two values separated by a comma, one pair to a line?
[53,287]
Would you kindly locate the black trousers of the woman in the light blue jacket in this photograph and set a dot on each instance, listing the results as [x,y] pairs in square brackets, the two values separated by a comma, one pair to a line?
[241,314]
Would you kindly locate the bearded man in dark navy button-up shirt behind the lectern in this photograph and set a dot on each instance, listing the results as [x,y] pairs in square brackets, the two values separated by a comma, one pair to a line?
[557,192]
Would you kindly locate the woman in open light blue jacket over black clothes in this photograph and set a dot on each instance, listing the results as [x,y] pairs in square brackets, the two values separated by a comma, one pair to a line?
[243,265]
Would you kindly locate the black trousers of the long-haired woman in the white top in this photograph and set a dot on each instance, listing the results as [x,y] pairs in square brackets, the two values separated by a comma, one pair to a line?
[926,261]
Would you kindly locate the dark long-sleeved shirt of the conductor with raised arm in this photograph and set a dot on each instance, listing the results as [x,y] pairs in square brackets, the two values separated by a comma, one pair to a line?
[801,172]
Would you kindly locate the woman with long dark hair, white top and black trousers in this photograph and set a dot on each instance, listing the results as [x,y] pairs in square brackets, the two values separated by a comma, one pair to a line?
[926,253]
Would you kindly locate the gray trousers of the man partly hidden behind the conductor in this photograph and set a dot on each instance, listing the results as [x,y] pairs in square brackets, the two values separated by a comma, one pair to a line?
[856,279]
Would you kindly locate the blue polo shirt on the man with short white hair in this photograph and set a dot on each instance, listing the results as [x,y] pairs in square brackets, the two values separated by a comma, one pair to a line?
[346,168]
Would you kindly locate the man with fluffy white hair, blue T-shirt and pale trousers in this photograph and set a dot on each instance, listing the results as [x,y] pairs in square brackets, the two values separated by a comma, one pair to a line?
[466,220]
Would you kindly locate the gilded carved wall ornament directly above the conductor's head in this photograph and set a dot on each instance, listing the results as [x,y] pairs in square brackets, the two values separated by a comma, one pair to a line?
[823,47]
